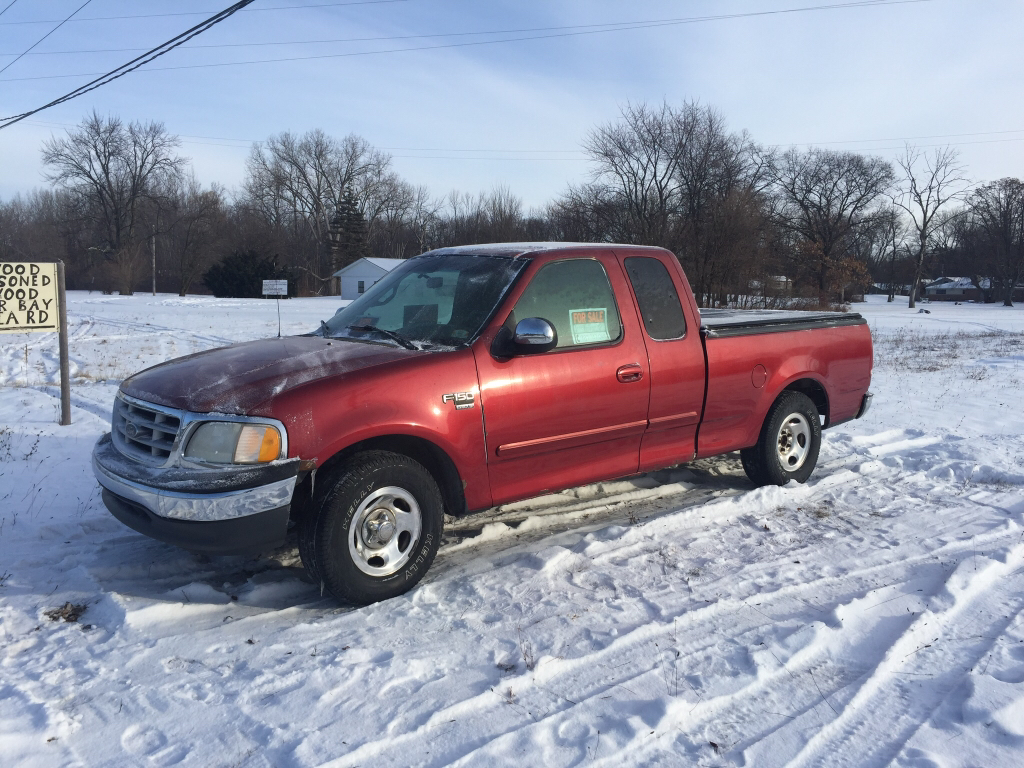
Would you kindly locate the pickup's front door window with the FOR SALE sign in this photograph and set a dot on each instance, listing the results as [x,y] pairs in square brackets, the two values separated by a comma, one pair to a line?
[576,297]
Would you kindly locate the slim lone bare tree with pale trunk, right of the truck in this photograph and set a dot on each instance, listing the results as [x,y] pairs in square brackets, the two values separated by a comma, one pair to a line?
[931,182]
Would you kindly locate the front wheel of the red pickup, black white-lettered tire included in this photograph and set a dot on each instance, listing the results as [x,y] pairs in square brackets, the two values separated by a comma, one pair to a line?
[355,564]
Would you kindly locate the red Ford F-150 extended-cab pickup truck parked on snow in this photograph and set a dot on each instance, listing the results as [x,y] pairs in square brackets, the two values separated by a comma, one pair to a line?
[467,378]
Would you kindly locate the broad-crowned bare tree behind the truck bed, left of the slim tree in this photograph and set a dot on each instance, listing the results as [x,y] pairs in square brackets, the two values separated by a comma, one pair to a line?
[825,197]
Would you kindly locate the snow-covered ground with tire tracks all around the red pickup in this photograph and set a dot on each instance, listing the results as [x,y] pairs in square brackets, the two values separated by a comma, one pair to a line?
[869,618]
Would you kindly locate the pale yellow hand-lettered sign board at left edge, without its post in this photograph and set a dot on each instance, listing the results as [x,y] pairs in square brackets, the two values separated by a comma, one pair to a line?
[28,297]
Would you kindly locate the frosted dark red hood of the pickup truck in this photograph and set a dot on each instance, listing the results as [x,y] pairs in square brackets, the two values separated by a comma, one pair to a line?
[238,378]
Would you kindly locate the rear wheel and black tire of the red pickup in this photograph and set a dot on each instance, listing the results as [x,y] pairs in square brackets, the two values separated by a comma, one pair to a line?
[788,448]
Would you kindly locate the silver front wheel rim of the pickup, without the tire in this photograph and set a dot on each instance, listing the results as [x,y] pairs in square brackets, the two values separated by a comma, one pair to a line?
[385,529]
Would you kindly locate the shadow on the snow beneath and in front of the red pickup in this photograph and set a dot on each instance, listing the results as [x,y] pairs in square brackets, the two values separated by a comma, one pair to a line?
[138,569]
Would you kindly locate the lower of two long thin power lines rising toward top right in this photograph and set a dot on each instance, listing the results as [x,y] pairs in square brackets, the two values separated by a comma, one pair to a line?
[575,32]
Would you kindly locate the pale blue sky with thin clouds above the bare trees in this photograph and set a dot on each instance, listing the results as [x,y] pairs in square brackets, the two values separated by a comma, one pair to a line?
[474,117]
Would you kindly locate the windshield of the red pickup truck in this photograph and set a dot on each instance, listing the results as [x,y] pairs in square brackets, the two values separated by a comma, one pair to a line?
[432,301]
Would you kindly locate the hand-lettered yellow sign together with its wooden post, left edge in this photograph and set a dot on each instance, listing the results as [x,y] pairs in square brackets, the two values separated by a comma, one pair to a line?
[32,298]
